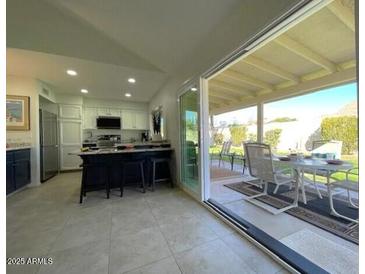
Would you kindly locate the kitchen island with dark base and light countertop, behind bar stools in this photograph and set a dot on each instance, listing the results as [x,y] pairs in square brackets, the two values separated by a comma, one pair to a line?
[107,166]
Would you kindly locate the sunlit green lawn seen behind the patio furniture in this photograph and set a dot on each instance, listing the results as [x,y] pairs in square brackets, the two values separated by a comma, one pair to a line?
[339,176]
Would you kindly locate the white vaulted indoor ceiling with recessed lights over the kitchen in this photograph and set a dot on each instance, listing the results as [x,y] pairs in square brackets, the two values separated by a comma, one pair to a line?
[109,41]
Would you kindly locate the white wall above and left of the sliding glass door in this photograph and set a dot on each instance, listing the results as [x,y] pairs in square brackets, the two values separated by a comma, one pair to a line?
[246,21]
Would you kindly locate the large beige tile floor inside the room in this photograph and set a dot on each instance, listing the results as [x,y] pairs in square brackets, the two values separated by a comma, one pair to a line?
[158,232]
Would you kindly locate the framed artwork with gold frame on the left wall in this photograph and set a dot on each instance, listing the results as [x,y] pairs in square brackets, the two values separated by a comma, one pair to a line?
[17,112]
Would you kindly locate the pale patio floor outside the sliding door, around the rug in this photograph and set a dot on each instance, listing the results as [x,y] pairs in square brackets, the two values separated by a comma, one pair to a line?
[334,253]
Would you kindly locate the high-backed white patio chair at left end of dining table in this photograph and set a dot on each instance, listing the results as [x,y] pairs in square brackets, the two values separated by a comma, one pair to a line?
[260,164]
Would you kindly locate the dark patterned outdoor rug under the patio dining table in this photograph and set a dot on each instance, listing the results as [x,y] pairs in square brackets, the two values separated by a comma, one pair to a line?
[316,211]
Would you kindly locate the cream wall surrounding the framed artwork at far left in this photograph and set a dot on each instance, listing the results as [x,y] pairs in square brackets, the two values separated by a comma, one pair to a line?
[27,87]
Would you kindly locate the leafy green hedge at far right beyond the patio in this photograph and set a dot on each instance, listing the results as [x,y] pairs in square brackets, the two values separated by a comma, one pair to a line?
[342,128]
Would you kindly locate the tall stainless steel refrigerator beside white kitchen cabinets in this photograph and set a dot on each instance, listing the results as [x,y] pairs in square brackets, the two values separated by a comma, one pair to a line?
[48,144]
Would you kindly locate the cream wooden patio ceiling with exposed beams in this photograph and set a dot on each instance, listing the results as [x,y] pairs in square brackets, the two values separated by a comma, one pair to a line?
[315,53]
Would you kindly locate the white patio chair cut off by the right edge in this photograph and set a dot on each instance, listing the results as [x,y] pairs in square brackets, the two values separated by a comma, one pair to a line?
[345,185]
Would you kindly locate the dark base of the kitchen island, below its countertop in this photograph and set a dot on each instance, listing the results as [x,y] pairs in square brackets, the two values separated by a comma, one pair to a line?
[103,167]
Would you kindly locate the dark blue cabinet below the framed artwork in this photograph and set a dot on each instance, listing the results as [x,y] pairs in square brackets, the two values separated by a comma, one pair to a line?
[17,169]
